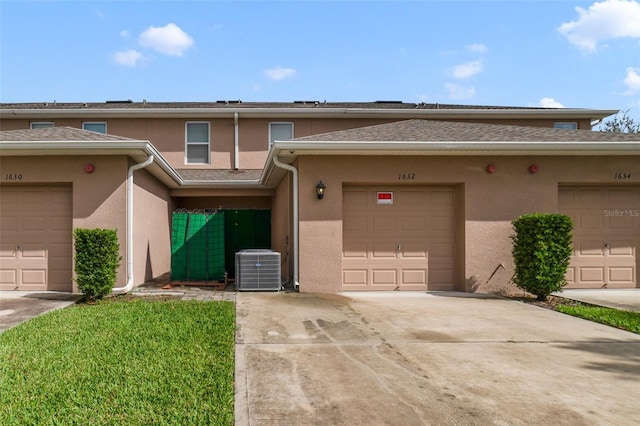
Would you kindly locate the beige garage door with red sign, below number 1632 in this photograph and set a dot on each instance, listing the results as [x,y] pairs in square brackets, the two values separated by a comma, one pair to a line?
[398,238]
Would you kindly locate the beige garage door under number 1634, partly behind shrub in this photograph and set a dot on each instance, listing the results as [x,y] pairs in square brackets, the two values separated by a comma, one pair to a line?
[606,235]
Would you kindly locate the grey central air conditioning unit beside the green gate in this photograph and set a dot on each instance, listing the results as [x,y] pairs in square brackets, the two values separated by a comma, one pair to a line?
[258,270]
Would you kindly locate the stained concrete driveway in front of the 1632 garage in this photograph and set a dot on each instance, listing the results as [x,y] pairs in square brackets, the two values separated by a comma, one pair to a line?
[417,358]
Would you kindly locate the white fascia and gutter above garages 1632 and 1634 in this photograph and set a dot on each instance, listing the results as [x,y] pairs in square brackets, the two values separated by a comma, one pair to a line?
[291,149]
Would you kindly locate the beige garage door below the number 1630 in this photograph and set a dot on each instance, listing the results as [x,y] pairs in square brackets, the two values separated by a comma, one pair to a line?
[35,247]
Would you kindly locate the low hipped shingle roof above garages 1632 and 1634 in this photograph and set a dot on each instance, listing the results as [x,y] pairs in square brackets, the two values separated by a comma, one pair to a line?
[449,131]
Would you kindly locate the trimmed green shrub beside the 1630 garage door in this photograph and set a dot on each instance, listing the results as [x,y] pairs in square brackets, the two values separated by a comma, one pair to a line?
[97,261]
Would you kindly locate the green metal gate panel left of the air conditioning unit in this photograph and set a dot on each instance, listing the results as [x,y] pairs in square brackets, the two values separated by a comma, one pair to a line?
[197,246]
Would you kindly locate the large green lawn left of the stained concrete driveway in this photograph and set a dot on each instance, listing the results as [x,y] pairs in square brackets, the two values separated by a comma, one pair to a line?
[121,362]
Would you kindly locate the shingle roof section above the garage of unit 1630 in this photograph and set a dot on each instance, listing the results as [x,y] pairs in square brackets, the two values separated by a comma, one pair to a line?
[57,134]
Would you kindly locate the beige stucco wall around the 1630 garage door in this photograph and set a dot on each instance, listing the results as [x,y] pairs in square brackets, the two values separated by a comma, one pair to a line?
[99,198]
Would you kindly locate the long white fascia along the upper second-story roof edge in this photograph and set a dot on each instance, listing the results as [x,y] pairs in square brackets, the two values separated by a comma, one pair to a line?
[195,113]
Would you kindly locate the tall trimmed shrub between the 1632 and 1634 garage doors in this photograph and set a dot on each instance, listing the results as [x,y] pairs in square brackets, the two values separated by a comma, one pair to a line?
[541,252]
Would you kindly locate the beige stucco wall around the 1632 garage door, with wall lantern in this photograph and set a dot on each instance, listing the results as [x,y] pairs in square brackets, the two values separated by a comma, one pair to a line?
[487,203]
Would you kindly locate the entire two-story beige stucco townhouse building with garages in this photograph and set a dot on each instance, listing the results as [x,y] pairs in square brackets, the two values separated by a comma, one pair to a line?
[354,196]
